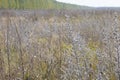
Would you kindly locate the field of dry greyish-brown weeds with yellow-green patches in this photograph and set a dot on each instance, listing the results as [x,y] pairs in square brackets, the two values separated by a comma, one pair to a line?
[60,45]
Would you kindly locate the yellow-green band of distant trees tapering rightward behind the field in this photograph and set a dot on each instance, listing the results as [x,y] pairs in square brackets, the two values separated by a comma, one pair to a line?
[35,4]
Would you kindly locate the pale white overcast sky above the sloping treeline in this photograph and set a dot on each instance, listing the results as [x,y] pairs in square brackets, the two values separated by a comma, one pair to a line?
[94,3]
